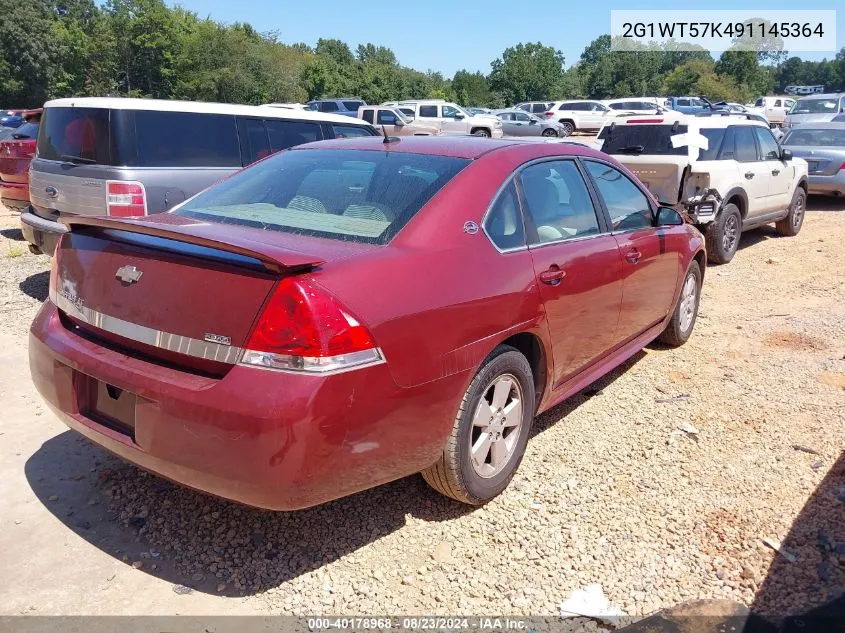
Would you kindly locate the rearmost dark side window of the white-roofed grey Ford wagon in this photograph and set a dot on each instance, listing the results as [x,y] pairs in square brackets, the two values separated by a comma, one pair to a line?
[186,139]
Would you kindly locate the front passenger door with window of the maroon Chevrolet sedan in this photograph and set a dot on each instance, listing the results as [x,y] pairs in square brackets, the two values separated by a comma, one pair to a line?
[650,260]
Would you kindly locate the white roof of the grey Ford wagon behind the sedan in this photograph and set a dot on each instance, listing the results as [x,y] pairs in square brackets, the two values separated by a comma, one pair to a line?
[167,105]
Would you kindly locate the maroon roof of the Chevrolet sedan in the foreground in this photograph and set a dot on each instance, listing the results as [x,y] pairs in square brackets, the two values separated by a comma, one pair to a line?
[469,147]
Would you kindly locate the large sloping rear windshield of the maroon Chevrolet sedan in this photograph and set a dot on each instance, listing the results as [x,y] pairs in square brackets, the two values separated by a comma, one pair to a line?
[349,195]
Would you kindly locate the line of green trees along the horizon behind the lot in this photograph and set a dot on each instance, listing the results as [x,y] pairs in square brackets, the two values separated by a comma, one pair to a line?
[60,48]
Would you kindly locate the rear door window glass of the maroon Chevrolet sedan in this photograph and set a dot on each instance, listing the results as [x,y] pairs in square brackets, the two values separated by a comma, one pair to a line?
[558,202]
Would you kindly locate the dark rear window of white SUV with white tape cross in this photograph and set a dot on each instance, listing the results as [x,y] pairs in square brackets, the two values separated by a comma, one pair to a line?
[655,140]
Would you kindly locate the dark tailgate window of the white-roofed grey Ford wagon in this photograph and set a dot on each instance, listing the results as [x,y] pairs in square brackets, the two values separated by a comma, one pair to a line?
[75,134]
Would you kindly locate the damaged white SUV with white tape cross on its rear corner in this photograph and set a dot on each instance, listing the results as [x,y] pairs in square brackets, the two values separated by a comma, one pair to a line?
[725,171]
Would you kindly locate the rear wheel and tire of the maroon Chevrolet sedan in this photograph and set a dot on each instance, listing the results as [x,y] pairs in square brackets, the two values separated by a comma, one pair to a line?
[490,433]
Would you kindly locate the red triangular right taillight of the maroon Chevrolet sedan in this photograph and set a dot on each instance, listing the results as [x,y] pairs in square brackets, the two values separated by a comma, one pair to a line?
[304,328]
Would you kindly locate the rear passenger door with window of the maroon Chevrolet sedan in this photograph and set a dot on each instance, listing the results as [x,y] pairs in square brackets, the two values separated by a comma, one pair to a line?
[577,265]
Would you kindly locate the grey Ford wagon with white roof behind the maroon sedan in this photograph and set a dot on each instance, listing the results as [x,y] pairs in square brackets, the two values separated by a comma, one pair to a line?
[125,157]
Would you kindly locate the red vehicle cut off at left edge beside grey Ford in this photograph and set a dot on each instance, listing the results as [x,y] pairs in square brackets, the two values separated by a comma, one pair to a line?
[16,152]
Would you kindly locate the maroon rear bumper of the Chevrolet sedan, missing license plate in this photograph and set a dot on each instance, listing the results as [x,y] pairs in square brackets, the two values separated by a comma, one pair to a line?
[275,440]
